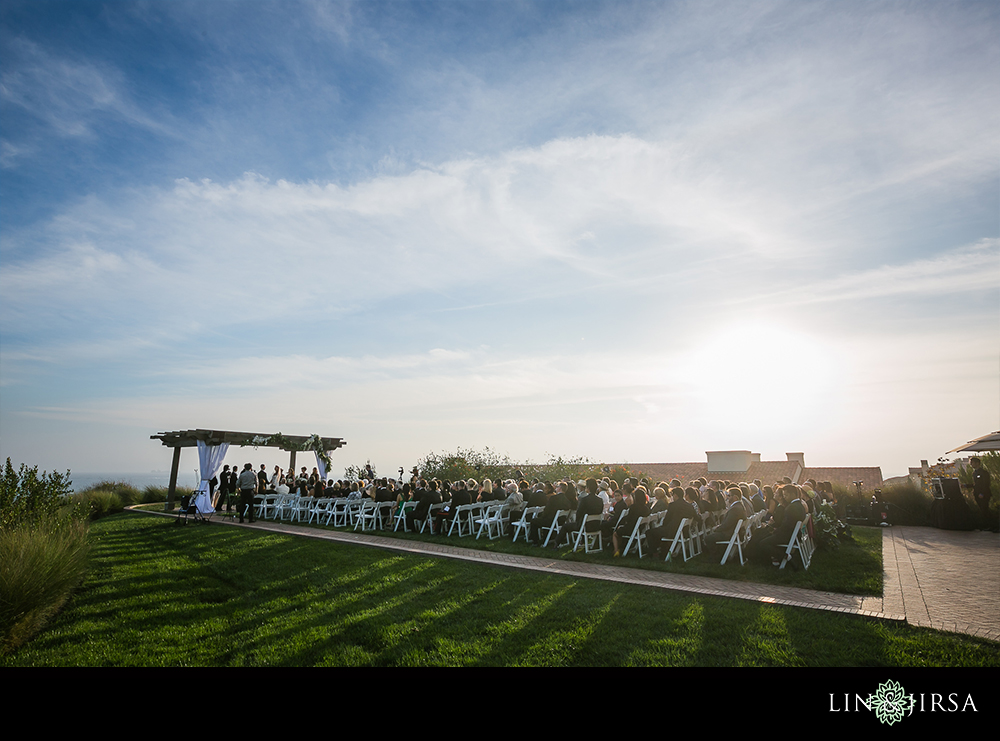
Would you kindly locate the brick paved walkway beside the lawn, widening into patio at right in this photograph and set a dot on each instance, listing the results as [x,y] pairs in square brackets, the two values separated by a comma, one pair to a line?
[938,579]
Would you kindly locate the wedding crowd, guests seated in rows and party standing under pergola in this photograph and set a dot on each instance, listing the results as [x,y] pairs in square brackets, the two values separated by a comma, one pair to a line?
[563,504]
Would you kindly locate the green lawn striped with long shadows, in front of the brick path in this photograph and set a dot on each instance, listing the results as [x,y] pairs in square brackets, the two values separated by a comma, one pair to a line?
[162,595]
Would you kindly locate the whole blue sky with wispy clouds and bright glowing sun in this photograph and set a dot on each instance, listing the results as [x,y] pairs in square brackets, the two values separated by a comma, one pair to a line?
[627,231]
